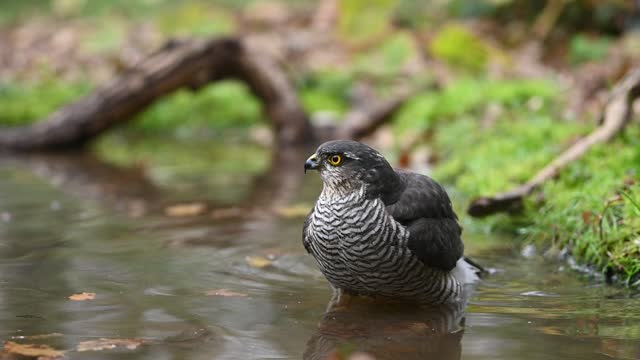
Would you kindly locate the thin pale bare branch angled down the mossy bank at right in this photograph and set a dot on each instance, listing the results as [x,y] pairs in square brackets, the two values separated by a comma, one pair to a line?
[615,117]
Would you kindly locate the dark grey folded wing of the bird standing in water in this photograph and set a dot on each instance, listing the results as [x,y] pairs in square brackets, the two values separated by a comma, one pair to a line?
[425,209]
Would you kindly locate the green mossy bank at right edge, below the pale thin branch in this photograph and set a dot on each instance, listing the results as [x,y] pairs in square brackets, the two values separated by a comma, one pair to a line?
[595,209]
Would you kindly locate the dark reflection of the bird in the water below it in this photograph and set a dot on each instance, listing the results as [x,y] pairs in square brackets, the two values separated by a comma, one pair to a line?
[388,331]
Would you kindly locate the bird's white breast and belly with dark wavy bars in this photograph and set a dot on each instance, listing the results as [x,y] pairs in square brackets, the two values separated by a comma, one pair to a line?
[361,249]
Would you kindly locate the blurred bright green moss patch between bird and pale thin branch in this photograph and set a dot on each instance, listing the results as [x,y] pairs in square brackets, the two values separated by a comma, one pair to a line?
[511,150]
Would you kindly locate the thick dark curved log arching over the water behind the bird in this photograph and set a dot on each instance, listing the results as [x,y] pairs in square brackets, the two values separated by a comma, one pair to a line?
[180,64]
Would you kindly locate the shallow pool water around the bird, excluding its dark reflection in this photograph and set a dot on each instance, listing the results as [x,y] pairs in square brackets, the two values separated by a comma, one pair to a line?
[229,278]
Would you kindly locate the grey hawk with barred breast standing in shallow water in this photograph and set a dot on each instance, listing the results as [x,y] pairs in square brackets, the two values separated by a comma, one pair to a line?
[382,232]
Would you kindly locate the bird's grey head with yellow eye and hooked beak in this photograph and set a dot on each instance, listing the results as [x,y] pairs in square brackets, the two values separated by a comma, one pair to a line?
[348,165]
